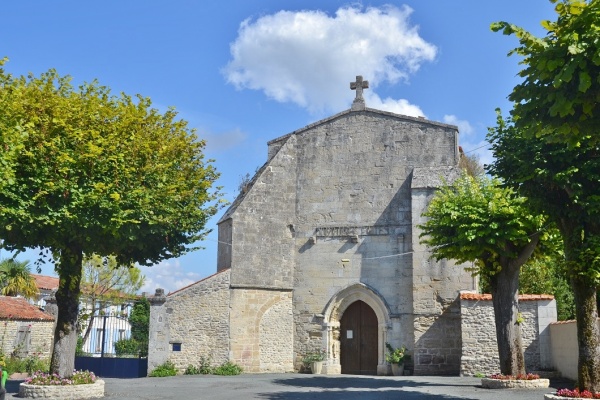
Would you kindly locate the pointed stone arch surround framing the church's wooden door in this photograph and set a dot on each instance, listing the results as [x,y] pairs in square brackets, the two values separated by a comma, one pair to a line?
[332,317]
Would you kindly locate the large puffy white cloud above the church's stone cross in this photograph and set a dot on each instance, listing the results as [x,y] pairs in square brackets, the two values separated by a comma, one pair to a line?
[309,57]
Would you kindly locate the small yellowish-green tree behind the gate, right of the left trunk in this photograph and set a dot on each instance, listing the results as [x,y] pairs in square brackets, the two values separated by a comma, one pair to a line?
[105,282]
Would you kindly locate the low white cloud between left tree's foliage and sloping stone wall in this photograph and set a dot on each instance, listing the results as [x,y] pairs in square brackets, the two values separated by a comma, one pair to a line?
[168,275]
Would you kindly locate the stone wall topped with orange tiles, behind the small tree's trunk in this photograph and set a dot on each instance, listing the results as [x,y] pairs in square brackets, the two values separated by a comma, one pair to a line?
[478,331]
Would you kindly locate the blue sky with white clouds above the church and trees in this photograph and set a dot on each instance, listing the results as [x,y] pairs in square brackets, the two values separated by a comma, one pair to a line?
[245,72]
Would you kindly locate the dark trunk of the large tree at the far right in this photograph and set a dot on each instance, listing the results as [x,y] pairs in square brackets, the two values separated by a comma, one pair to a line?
[588,335]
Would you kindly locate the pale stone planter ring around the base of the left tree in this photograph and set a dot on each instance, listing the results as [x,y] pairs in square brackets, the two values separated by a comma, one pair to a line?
[89,391]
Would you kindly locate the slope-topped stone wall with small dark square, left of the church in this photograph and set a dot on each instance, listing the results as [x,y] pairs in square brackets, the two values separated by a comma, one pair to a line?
[191,323]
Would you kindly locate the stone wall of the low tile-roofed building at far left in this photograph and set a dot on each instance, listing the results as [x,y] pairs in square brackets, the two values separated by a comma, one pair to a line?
[38,334]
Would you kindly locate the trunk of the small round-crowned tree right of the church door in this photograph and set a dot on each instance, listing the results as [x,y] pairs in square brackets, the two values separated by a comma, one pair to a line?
[505,297]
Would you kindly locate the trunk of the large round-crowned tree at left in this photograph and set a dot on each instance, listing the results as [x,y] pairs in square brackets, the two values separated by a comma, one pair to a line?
[67,300]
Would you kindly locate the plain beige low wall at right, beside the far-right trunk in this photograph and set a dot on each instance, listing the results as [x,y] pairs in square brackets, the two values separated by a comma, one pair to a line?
[565,351]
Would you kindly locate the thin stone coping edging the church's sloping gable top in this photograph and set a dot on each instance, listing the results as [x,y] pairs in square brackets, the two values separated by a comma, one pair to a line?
[421,120]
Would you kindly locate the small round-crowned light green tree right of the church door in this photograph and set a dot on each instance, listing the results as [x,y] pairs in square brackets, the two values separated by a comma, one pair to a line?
[475,220]
